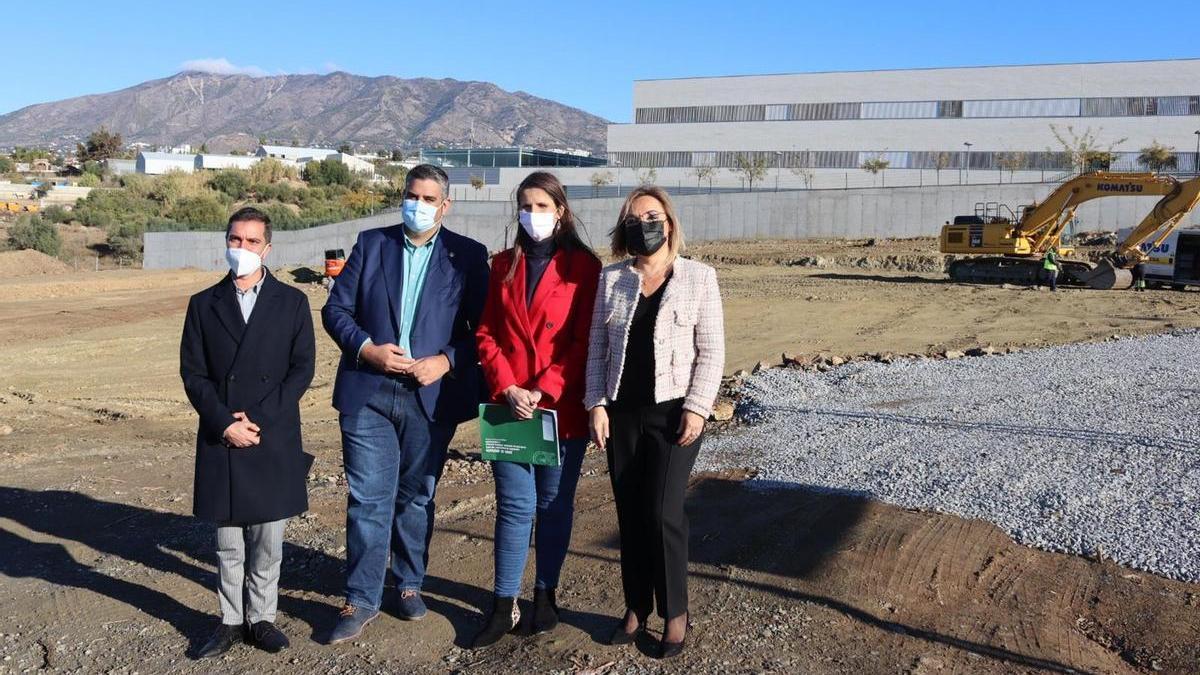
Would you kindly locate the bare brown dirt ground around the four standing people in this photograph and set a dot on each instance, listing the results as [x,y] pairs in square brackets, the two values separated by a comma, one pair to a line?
[103,570]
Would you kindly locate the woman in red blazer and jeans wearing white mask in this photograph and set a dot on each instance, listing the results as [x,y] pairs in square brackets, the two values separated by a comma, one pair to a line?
[533,345]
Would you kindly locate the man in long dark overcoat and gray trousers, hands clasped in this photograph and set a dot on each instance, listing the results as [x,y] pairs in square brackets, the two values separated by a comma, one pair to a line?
[247,359]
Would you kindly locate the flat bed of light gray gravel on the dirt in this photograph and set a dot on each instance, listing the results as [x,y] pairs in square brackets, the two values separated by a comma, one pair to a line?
[1091,450]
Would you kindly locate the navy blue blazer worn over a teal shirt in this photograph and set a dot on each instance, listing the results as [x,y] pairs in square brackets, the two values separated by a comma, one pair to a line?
[365,303]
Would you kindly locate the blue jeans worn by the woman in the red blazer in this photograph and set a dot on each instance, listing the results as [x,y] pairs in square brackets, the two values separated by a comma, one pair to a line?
[527,492]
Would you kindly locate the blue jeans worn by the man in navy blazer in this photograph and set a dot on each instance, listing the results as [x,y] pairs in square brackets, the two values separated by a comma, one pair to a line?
[394,458]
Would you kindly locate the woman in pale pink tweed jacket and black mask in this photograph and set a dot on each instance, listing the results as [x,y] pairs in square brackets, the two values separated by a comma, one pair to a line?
[656,357]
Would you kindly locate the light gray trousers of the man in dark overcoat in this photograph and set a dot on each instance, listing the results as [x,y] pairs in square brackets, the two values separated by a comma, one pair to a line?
[249,561]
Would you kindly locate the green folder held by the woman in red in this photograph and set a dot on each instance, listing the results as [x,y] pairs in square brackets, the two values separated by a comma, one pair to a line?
[526,441]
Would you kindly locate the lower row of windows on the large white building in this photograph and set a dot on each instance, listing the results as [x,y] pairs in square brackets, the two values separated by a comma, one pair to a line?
[856,159]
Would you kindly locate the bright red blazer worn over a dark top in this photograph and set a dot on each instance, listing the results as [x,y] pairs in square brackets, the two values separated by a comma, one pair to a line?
[544,345]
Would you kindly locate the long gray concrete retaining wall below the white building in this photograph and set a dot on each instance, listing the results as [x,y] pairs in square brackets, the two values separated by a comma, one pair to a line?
[802,214]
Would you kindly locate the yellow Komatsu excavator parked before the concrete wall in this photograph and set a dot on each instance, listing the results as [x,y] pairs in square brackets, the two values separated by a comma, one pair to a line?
[1018,242]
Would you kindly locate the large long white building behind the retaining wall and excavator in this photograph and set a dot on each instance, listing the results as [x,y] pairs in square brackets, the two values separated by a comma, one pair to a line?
[950,126]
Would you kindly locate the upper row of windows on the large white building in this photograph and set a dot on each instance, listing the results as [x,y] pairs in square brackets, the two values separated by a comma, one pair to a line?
[1106,107]
